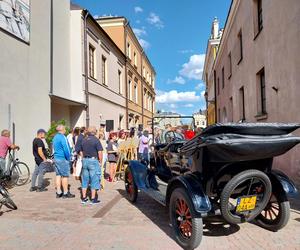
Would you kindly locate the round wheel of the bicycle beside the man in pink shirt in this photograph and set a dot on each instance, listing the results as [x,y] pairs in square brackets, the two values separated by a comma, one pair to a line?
[20,174]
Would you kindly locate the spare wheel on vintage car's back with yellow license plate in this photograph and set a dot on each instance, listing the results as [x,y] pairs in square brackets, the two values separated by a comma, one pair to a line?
[245,196]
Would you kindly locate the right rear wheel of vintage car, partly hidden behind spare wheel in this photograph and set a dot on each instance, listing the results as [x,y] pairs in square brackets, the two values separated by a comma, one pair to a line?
[276,214]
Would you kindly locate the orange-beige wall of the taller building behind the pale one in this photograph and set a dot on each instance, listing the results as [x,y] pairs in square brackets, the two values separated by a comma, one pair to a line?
[139,112]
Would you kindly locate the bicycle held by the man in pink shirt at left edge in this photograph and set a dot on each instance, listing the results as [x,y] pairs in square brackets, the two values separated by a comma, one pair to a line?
[18,172]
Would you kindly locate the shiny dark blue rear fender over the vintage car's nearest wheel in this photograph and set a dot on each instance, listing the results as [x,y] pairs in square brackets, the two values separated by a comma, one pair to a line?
[192,184]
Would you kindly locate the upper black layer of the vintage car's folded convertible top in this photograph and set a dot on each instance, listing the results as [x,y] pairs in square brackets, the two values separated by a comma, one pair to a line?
[251,128]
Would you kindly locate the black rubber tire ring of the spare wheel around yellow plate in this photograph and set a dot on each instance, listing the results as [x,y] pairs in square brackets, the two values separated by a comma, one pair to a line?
[228,212]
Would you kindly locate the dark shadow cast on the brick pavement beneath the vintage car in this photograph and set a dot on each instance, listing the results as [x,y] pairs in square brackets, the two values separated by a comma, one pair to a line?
[158,214]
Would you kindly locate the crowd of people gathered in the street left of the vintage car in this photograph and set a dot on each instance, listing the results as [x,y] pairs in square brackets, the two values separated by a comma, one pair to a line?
[83,153]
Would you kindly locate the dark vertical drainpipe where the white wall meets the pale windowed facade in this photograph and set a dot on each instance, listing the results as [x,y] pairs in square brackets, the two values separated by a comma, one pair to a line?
[86,85]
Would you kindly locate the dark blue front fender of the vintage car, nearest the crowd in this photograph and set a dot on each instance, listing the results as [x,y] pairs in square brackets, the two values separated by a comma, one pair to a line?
[139,173]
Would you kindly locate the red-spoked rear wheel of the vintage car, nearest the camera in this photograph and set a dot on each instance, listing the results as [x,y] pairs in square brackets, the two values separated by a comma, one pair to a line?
[188,229]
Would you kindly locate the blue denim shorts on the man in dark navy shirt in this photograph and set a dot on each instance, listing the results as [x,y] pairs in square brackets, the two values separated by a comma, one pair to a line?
[91,173]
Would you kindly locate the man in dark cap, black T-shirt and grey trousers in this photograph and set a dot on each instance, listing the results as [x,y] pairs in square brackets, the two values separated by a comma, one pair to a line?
[41,164]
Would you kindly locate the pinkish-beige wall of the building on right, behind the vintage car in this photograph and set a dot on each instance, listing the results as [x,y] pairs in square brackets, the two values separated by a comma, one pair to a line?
[273,49]
